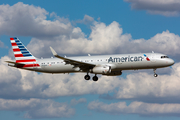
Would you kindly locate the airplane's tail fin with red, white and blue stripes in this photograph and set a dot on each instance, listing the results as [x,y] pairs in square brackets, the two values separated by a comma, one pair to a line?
[21,53]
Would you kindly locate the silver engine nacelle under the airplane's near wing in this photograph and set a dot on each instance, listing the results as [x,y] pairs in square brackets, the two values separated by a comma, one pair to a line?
[101,70]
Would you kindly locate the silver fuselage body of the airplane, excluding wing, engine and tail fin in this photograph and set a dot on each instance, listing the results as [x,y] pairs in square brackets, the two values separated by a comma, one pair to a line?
[117,62]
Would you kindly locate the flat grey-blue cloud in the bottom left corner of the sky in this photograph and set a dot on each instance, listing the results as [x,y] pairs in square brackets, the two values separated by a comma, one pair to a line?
[37,108]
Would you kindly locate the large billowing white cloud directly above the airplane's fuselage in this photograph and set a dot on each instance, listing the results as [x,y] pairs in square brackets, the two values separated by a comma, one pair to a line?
[106,39]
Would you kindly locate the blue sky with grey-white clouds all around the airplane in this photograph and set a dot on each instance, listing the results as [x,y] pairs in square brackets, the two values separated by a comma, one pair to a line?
[90,27]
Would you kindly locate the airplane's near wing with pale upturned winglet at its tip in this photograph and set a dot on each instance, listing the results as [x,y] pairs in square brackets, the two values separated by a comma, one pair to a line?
[76,63]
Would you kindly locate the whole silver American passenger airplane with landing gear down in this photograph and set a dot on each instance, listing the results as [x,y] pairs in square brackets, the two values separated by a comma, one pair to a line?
[110,65]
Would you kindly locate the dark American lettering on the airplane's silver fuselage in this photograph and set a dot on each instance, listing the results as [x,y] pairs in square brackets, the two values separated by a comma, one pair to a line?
[125,59]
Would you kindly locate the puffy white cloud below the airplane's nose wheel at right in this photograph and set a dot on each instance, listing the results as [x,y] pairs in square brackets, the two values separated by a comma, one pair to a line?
[144,87]
